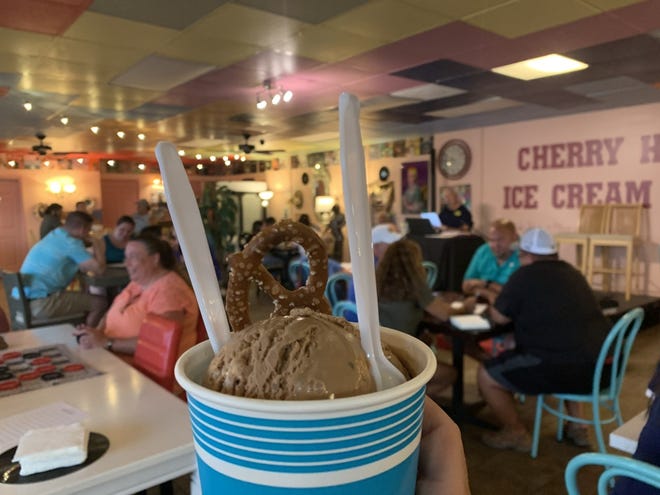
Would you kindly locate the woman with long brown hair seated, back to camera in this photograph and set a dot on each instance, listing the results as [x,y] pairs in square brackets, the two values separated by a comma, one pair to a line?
[404,296]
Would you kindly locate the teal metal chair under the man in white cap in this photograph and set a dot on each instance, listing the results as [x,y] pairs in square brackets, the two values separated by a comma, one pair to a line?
[614,351]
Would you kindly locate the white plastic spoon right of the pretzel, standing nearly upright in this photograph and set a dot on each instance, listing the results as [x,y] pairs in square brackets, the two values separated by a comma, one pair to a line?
[358,225]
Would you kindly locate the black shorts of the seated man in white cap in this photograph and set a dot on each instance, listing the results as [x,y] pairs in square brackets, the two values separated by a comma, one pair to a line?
[529,374]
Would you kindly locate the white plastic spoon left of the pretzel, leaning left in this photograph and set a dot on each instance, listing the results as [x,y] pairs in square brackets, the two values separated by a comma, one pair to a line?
[196,255]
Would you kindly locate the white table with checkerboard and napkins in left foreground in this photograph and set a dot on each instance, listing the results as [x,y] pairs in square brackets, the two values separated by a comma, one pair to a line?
[148,428]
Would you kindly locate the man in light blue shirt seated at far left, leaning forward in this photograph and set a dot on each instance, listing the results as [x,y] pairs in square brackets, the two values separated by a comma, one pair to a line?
[51,265]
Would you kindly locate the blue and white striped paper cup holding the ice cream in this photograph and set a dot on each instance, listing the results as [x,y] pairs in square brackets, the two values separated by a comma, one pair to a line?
[363,444]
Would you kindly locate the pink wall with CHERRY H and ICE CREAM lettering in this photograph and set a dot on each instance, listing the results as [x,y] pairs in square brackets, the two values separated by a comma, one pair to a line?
[608,156]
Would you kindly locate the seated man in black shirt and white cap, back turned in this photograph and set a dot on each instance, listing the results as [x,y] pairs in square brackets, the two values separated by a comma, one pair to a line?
[559,330]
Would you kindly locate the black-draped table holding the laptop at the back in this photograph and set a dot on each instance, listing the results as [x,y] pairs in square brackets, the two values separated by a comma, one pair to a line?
[452,254]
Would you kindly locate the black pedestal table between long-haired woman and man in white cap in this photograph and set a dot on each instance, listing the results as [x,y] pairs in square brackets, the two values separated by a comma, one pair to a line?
[460,339]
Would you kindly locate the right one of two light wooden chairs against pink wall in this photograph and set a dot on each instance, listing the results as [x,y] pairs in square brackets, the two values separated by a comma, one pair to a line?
[622,229]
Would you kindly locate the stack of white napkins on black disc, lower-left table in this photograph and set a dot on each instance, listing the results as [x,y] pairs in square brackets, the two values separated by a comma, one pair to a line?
[51,448]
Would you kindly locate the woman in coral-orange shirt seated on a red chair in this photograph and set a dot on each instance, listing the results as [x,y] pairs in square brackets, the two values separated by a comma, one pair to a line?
[154,288]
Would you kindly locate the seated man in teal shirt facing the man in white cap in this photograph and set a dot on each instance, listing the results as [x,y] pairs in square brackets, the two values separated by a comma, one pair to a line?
[493,263]
